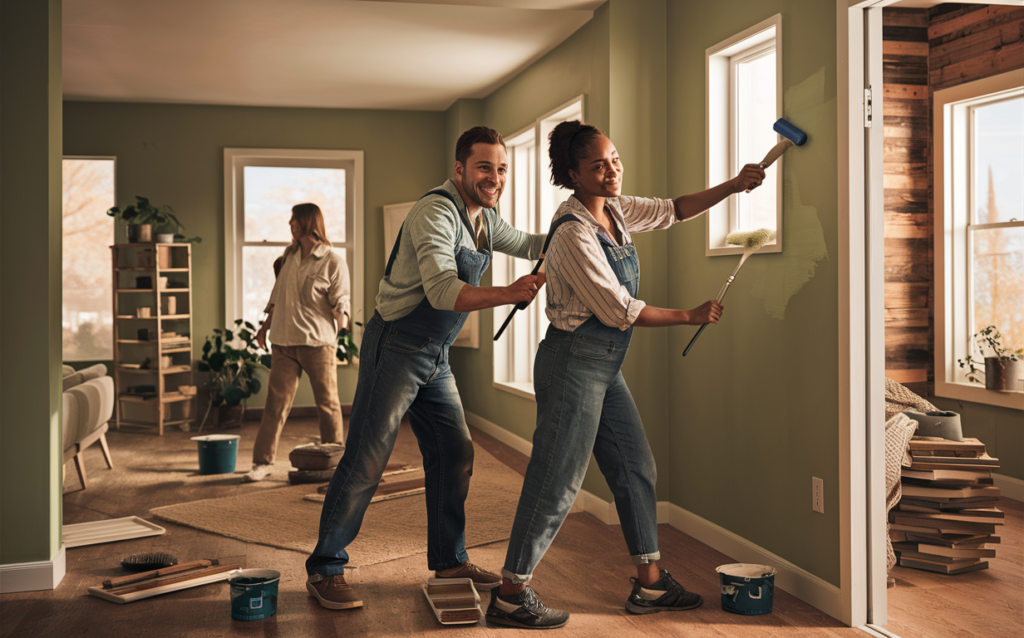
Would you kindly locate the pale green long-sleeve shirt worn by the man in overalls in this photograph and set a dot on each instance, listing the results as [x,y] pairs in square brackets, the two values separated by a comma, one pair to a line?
[426,267]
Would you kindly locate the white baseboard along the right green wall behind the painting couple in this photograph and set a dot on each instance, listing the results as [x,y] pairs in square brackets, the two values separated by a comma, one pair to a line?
[790,578]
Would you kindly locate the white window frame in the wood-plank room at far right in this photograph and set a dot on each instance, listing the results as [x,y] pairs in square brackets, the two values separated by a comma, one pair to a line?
[953,114]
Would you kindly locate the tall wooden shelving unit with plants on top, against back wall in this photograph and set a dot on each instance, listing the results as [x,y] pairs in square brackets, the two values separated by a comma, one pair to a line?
[154,351]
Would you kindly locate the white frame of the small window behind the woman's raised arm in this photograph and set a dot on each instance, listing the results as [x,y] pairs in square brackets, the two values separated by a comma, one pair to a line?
[720,137]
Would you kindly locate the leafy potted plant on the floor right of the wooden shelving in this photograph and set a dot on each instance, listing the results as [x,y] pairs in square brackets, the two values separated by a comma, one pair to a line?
[233,359]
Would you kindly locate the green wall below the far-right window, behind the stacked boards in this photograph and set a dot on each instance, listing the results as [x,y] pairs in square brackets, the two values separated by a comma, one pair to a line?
[1002,430]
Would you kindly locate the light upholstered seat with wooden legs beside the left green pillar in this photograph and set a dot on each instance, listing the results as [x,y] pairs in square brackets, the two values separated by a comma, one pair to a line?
[89,405]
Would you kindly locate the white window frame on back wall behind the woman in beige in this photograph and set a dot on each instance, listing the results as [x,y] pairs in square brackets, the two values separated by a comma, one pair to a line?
[235,161]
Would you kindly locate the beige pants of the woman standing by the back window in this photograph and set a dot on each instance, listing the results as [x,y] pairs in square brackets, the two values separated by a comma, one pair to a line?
[289,362]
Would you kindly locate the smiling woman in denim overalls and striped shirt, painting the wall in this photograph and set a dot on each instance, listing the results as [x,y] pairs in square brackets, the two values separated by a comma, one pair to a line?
[583,404]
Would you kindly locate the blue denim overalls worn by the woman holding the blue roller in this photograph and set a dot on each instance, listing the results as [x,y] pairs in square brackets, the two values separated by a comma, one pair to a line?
[584,407]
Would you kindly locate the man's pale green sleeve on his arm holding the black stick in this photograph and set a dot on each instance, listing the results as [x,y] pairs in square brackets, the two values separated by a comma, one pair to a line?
[435,233]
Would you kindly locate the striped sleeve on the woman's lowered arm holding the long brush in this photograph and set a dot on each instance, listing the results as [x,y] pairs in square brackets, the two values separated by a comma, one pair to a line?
[583,267]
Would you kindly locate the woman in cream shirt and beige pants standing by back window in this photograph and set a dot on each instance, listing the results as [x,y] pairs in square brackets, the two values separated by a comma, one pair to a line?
[308,308]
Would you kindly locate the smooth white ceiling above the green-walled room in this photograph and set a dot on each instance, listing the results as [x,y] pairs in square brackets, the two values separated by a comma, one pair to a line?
[409,55]
